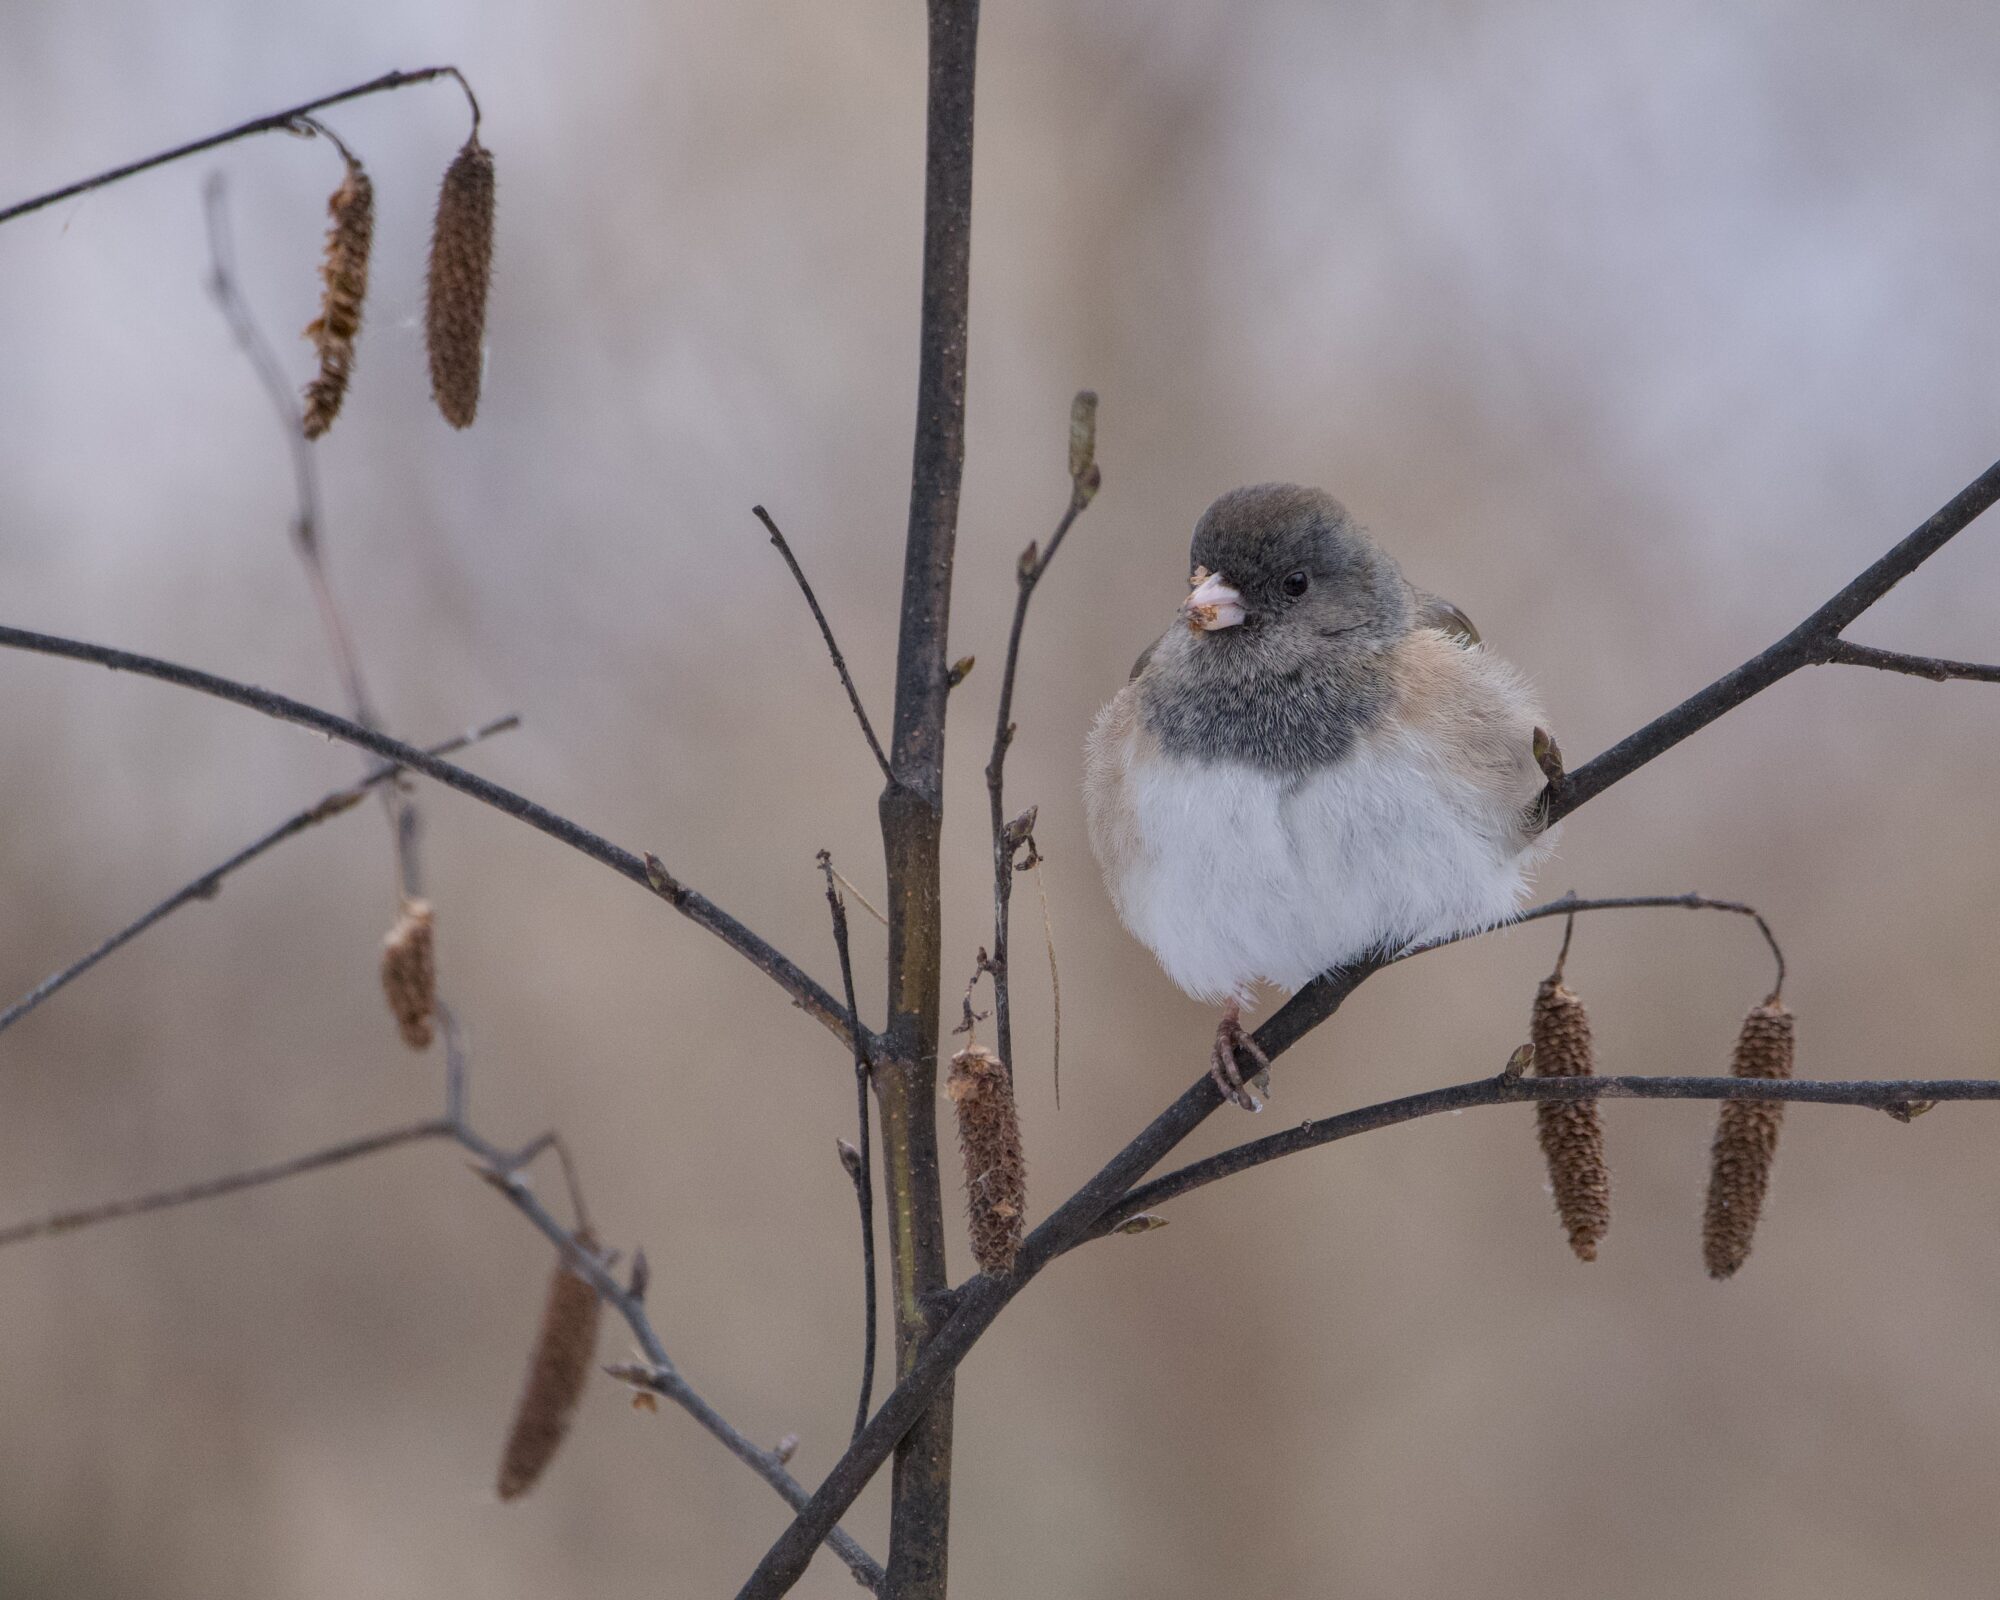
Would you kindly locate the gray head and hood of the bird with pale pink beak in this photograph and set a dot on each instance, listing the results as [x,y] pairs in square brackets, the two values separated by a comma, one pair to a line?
[1287,629]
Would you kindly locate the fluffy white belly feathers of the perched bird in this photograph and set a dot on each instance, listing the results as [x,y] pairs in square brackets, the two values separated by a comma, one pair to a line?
[1237,875]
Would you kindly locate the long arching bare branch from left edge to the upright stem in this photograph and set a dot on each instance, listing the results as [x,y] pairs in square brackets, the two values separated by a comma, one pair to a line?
[699,909]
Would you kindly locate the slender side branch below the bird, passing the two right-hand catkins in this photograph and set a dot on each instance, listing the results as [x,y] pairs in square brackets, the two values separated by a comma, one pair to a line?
[1507,1091]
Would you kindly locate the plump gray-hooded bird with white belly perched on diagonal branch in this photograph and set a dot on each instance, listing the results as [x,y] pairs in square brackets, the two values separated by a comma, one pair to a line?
[1315,763]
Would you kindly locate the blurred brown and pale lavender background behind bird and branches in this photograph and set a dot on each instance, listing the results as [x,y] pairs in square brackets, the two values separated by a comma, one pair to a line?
[1633,329]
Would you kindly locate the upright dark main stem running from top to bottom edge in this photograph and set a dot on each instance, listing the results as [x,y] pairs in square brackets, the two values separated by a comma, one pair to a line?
[913,805]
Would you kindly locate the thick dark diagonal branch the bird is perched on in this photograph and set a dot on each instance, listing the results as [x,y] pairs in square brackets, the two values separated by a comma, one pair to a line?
[981,1299]
